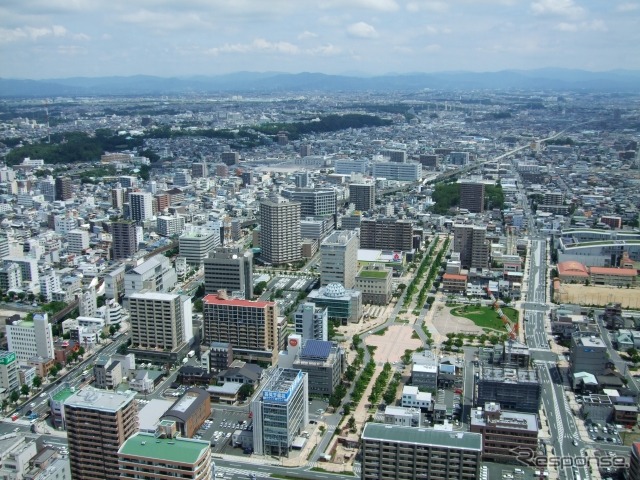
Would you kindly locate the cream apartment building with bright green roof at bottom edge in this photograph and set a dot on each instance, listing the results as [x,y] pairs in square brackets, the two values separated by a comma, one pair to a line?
[148,456]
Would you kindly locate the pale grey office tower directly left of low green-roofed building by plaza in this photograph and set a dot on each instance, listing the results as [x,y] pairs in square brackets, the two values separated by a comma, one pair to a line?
[339,258]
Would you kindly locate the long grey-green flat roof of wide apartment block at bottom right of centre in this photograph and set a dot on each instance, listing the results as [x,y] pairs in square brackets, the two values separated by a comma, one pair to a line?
[422,436]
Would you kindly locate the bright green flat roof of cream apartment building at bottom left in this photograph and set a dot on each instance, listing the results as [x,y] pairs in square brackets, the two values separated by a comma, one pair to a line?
[178,450]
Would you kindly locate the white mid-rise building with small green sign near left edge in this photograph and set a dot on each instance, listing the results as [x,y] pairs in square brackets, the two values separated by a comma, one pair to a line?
[30,338]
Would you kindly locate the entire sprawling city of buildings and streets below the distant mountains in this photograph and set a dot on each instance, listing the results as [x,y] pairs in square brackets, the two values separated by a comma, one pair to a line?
[428,285]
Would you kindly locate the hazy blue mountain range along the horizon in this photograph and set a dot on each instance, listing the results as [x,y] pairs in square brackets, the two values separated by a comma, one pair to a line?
[623,81]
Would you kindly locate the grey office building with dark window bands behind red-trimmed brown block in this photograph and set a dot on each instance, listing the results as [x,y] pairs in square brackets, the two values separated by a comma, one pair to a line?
[229,269]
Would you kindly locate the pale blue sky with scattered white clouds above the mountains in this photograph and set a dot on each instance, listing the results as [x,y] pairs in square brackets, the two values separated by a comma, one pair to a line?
[93,38]
